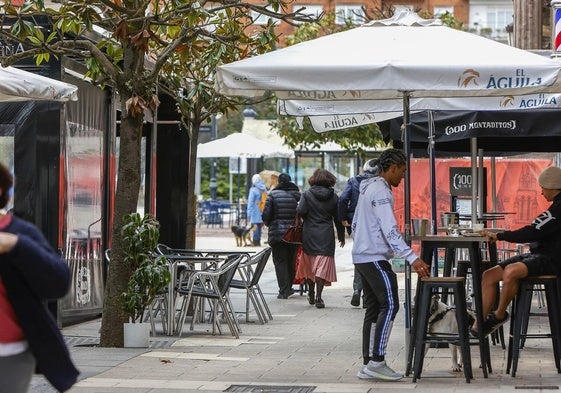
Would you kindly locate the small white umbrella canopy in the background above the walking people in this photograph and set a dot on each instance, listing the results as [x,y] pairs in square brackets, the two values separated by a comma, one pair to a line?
[242,145]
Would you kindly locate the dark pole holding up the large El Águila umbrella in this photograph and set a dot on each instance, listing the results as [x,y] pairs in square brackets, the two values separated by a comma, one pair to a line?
[407,206]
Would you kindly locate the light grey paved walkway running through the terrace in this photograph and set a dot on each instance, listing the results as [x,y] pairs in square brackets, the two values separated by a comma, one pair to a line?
[303,349]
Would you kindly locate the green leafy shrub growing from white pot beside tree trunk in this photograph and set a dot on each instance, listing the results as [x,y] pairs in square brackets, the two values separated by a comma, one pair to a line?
[150,272]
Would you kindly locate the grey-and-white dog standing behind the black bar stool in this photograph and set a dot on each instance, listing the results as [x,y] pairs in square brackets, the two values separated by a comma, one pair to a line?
[442,319]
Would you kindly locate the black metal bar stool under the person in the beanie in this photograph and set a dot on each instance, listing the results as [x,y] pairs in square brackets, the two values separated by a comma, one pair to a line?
[520,314]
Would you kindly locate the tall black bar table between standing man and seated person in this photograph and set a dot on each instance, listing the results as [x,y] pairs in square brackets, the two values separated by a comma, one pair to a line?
[431,243]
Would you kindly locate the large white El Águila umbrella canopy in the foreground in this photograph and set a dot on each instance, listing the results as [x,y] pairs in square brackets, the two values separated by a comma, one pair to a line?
[383,59]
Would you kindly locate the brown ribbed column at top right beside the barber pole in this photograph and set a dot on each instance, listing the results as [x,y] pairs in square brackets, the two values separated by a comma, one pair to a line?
[528,24]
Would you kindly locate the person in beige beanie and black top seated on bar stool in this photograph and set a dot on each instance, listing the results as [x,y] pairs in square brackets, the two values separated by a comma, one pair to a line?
[544,236]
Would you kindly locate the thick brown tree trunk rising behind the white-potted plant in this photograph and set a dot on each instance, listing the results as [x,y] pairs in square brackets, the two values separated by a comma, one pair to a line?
[126,200]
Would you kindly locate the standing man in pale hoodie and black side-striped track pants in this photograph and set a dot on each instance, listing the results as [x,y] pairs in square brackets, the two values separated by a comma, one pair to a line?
[377,239]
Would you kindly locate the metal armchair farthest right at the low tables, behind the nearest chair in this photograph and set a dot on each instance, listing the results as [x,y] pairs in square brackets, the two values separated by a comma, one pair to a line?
[250,271]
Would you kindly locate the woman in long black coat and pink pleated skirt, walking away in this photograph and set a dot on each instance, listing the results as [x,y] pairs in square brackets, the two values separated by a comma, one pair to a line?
[318,209]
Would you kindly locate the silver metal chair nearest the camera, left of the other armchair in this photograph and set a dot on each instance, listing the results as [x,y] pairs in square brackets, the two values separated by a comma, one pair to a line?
[214,285]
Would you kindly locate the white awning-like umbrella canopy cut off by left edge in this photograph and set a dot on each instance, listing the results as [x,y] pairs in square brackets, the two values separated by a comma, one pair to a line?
[20,85]
